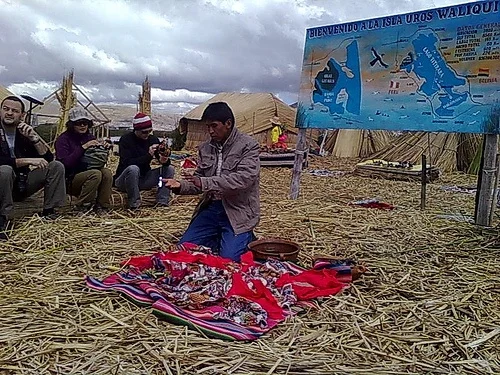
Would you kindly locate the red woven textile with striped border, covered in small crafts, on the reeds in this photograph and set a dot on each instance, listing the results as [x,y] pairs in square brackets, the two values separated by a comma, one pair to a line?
[221,298]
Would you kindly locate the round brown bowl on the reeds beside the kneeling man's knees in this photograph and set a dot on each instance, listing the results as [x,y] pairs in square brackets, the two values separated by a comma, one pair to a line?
[276,248]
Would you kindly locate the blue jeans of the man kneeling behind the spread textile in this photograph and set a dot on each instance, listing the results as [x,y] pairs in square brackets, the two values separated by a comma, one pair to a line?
[211,228]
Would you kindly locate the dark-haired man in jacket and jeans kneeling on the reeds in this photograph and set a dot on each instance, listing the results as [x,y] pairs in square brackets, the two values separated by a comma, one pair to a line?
[228,176]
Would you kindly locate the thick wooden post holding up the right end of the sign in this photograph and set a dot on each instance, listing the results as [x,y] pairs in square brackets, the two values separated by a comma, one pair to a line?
[488,172]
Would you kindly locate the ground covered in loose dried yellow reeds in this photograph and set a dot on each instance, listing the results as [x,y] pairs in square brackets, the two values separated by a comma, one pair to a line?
[430,303]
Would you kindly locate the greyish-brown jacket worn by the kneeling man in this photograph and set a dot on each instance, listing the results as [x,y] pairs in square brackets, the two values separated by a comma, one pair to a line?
[238,183]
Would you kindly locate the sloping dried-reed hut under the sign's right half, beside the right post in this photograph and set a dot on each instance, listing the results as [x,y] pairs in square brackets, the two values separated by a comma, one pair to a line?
[447,151]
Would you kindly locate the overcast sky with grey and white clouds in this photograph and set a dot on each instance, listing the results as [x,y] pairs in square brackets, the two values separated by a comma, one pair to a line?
[190,49]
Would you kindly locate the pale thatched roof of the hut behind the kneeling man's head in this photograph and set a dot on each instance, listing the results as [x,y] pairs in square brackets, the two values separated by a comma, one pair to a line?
[252,111]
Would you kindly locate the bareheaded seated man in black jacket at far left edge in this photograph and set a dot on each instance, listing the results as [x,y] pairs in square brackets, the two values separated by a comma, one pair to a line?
[26,164]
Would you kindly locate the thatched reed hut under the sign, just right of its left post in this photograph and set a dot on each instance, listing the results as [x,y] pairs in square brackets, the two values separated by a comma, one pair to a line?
[355,143]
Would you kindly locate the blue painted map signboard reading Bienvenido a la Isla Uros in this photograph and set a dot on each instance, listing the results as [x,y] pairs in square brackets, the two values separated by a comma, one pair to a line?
[435,70]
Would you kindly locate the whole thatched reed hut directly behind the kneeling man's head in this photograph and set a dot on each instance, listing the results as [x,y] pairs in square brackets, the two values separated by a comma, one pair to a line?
[252,112]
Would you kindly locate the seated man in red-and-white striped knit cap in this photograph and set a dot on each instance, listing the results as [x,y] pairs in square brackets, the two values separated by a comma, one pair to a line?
[134,173]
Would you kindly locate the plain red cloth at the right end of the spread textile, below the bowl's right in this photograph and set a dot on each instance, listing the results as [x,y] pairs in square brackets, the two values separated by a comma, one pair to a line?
[312,283]
